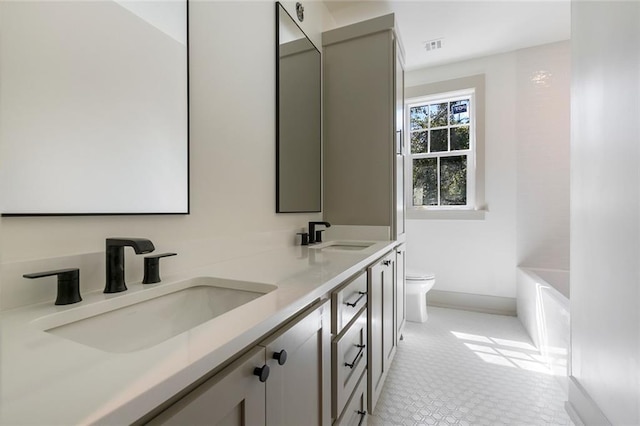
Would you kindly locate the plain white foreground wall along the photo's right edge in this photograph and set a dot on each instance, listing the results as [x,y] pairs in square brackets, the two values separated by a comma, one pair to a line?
[605,211]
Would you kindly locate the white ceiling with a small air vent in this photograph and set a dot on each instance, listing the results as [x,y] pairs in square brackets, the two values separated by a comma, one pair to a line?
[469,29]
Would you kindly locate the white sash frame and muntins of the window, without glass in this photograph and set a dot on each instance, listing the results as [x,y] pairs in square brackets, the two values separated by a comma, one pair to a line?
[470,152]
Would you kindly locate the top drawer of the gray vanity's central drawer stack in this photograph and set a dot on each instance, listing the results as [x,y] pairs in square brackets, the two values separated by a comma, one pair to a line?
[348,301]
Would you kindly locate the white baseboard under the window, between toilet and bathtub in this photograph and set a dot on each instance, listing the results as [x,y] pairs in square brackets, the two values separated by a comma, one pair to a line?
[472,302]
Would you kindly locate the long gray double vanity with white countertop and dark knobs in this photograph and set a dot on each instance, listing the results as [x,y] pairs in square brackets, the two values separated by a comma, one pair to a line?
[300,327]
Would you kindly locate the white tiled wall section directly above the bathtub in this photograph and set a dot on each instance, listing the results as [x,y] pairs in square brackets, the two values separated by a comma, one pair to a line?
[543,115]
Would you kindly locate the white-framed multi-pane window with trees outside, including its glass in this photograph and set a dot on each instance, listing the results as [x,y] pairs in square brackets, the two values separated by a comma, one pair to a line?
[442,151]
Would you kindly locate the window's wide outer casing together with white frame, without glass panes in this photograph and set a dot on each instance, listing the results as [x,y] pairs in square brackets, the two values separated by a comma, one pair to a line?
[476,206]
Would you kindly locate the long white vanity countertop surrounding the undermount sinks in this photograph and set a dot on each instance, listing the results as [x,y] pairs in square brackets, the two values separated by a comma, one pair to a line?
[49,380]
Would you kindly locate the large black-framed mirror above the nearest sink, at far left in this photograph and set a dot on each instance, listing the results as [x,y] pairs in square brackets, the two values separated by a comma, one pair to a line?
[94,107]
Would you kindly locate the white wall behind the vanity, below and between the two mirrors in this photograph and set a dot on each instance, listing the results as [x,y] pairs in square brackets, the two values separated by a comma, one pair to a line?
[232,78]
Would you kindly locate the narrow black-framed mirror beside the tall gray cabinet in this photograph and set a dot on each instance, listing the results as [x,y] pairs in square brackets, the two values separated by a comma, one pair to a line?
[298,119]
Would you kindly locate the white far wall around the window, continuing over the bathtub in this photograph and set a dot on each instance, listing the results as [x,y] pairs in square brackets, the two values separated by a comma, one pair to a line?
[480,256]
